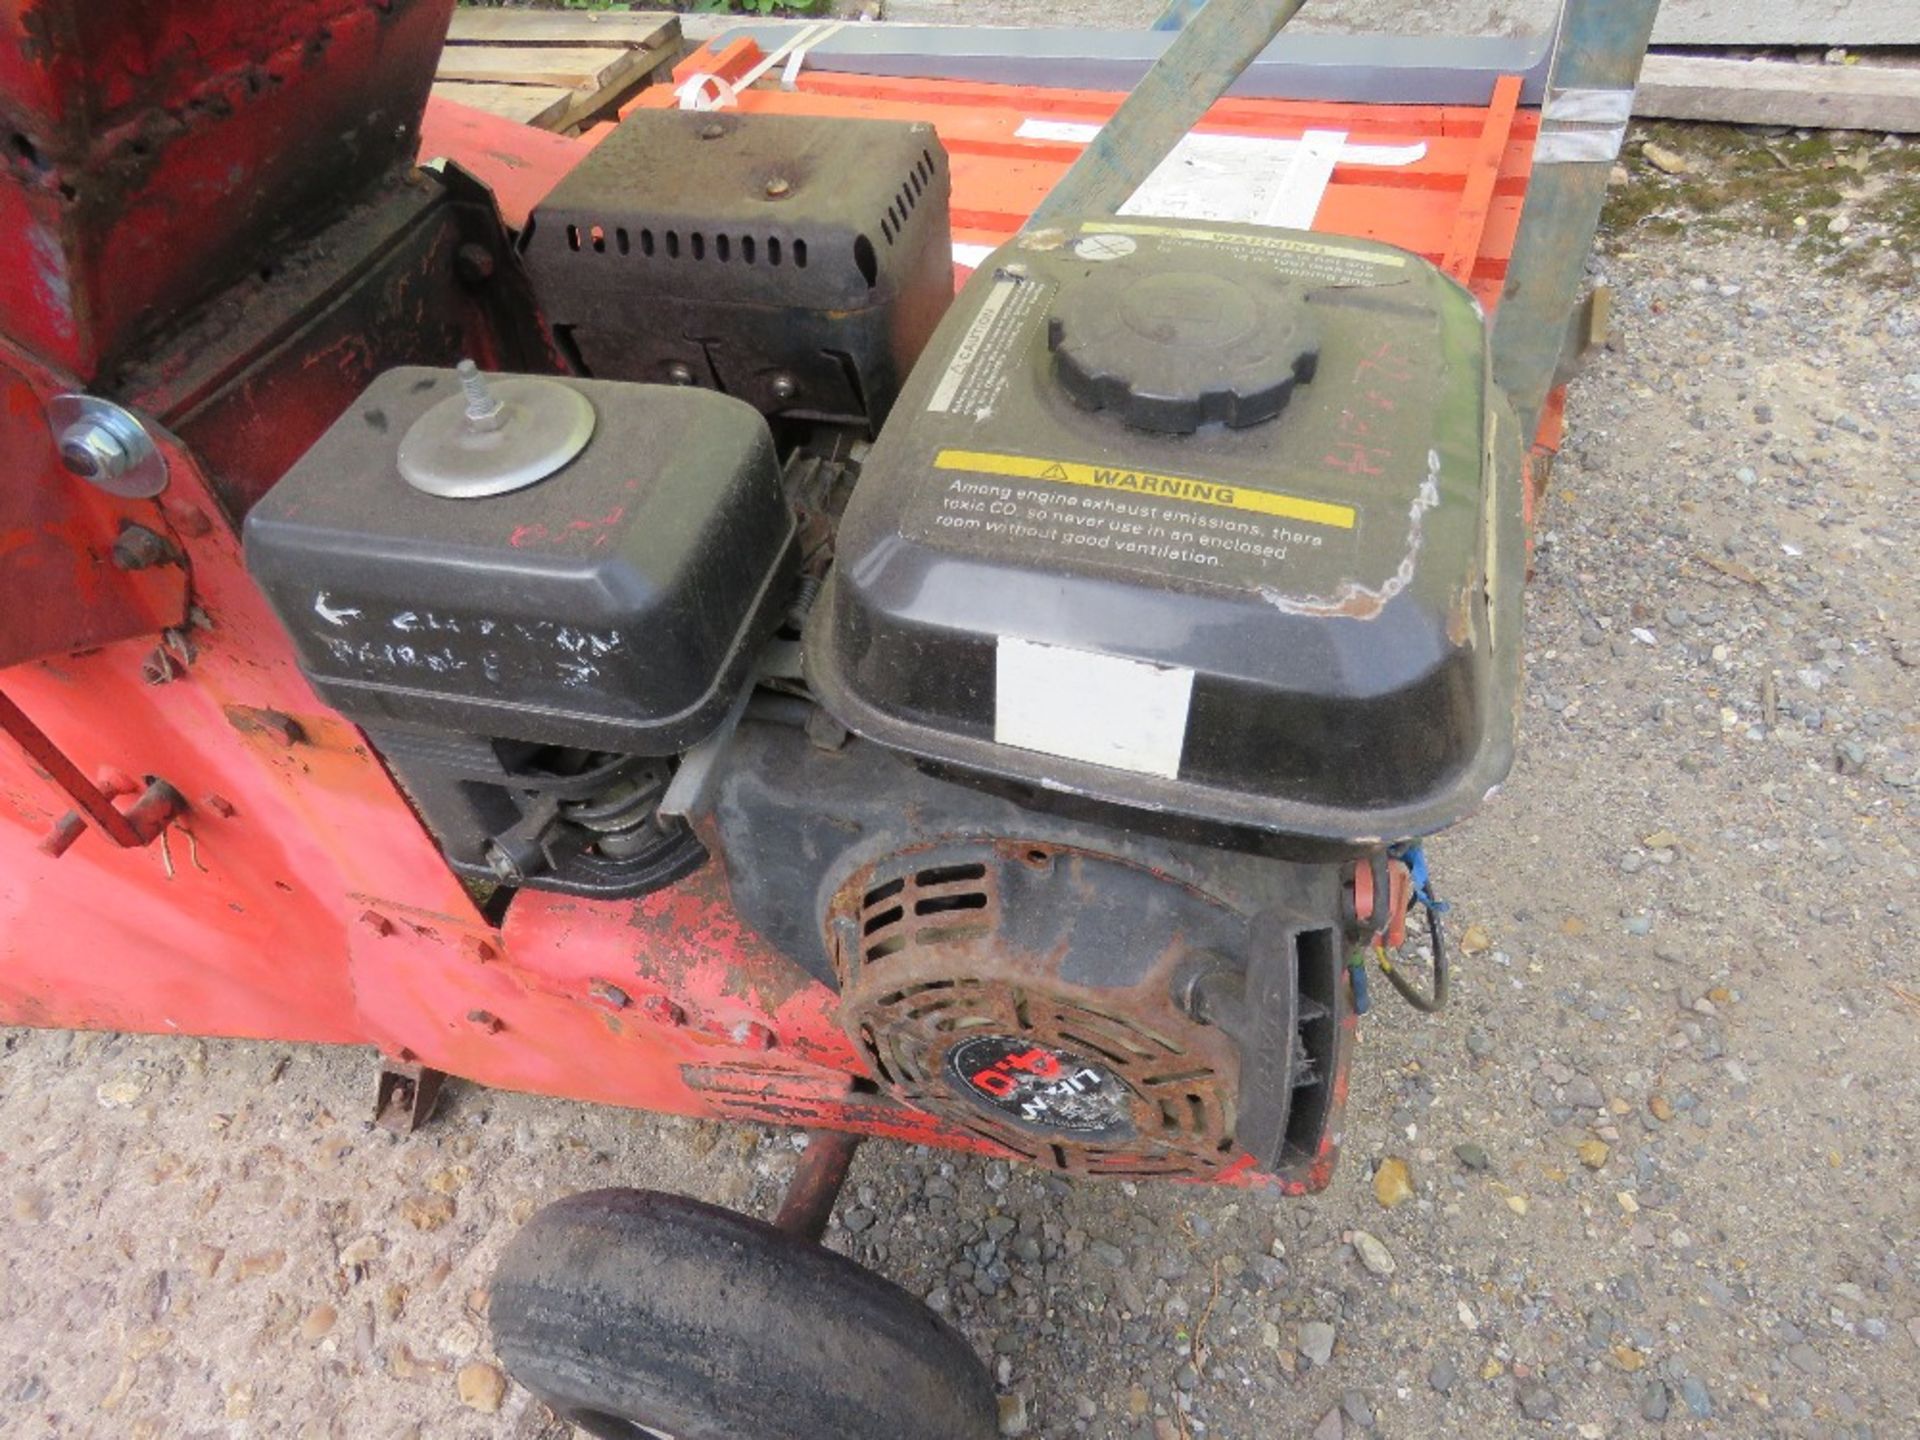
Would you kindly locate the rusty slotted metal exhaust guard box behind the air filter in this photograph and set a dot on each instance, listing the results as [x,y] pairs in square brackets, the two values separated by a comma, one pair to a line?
[796,262]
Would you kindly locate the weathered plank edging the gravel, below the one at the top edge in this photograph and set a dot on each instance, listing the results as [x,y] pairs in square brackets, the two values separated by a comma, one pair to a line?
[1779,93]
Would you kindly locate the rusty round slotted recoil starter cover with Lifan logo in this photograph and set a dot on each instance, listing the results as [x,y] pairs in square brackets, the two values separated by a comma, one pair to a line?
[957,994]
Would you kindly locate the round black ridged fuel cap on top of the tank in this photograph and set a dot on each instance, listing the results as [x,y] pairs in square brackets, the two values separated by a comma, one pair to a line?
[1166,345]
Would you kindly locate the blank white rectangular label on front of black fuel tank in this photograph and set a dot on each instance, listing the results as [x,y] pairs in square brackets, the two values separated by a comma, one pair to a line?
[1080,706]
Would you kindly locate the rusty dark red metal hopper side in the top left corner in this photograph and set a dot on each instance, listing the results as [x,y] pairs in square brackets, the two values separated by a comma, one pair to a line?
[153,149]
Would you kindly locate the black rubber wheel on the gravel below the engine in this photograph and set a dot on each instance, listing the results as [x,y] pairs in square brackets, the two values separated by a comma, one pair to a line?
[636,1314]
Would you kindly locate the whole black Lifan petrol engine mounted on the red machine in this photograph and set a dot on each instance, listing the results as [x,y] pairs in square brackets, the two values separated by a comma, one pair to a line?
[1051,669]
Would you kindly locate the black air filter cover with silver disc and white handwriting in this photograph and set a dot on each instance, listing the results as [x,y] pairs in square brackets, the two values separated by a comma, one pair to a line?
[612,606]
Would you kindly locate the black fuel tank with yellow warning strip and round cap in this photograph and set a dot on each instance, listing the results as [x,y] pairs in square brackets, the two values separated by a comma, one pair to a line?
[1201,519]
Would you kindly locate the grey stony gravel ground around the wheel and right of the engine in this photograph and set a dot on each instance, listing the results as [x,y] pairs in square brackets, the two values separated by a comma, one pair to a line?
[1658,1155]
